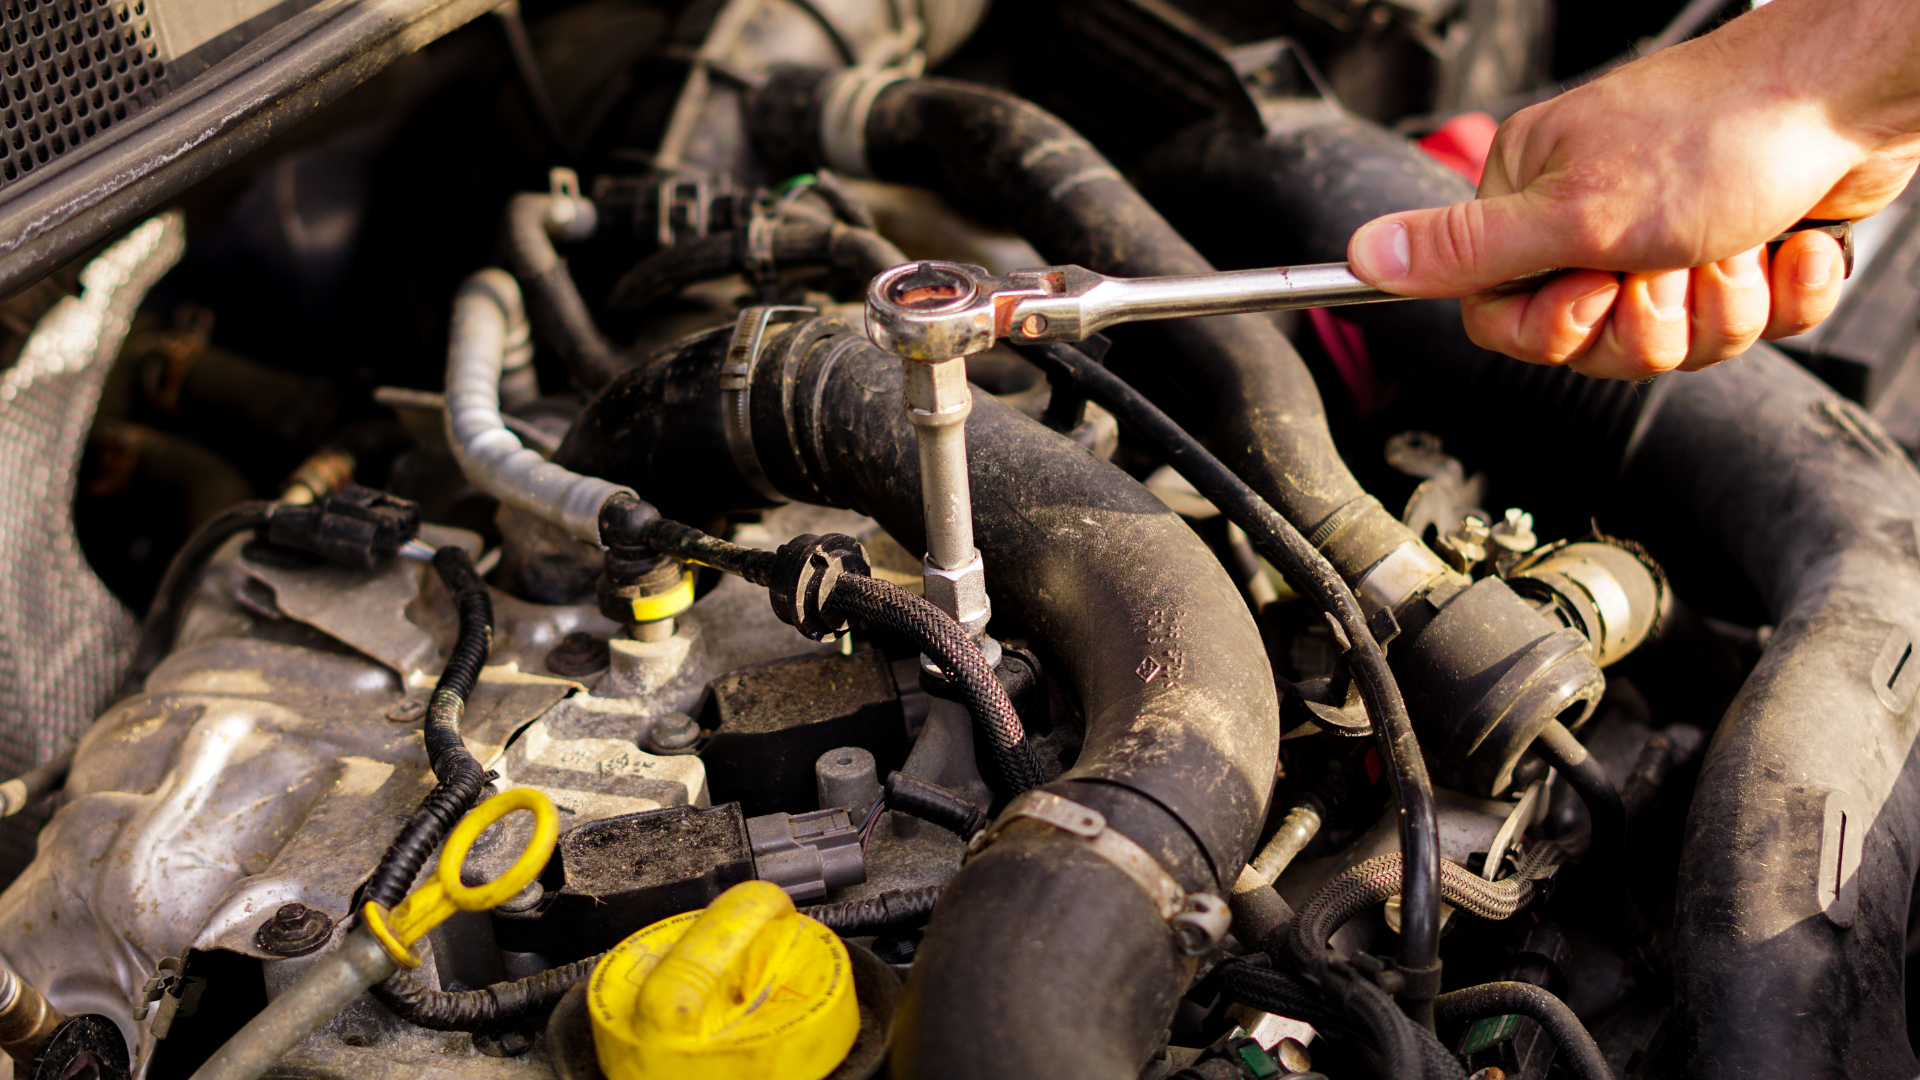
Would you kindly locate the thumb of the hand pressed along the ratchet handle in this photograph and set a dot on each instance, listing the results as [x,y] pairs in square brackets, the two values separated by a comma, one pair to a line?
[1456,251]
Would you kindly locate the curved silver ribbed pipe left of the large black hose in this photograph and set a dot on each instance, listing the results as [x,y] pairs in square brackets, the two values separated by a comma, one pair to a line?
[489,316]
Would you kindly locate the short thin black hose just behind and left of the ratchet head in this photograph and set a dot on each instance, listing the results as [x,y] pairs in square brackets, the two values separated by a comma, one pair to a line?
[719,255]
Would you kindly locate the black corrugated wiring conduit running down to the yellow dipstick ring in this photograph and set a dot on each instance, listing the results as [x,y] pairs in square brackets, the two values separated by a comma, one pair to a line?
[460,773]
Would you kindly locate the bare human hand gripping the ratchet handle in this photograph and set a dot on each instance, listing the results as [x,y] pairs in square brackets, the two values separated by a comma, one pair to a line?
[1673,172]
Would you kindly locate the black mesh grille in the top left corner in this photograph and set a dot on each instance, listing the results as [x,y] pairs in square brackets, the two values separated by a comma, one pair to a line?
[70,72]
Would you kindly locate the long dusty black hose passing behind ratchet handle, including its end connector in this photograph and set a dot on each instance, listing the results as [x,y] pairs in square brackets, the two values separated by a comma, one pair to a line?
[1479,668]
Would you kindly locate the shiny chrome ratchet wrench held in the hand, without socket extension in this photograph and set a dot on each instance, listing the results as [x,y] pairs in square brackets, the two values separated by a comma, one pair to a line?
[934,310]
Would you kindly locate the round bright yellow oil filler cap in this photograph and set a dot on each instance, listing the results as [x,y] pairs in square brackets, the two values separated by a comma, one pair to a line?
[744,991]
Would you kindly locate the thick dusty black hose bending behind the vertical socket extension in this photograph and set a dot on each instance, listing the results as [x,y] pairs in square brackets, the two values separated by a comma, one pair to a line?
[1182,714]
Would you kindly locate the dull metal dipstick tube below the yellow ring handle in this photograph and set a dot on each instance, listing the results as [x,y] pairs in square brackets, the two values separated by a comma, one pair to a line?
[295,1016]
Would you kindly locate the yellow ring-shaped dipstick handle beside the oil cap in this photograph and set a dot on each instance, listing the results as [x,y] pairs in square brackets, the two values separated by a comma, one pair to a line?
[441,898]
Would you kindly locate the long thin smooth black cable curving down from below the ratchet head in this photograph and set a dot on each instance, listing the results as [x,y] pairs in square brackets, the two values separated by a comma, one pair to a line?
[1308,570]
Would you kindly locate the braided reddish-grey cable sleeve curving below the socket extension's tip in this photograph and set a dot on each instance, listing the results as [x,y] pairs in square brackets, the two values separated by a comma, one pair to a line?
[959,658]
